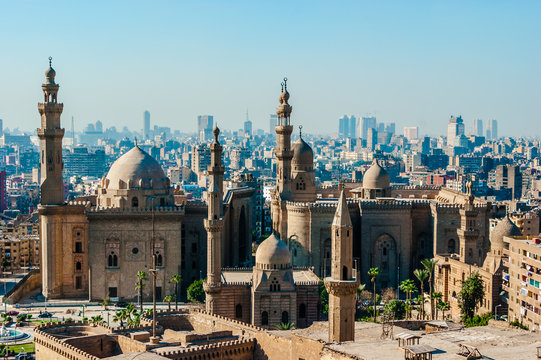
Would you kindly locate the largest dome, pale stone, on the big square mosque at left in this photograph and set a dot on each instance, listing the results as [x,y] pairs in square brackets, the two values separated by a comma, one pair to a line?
[135,169]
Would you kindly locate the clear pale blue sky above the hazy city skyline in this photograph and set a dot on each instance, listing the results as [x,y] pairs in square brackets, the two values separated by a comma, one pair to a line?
[415,63]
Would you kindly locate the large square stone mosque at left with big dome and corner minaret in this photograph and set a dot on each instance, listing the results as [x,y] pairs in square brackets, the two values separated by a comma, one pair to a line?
[94,246]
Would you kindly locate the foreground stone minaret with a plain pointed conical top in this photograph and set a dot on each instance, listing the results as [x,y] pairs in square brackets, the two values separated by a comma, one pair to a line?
[341,286]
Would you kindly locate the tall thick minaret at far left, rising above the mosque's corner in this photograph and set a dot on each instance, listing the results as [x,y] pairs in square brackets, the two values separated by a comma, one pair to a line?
[50,135]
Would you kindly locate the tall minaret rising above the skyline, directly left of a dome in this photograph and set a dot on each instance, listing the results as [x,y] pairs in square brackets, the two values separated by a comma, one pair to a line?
[283,151]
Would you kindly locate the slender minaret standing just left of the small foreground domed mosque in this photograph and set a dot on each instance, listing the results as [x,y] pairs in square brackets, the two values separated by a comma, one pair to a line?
[214,224]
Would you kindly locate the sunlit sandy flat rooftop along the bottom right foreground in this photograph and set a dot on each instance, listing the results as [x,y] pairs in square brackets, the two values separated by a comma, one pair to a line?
[493,342]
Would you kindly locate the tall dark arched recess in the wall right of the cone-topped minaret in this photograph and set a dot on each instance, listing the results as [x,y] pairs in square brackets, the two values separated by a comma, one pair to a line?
[385,259]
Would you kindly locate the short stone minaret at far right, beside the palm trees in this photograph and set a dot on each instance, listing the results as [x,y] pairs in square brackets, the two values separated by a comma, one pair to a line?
[468,233]
